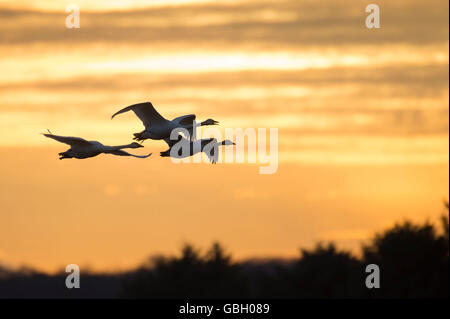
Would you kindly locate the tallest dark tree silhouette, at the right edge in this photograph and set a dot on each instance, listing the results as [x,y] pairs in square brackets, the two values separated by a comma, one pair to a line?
[413,261]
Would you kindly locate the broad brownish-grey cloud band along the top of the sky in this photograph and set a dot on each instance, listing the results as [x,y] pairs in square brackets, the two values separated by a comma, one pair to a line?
[259,24]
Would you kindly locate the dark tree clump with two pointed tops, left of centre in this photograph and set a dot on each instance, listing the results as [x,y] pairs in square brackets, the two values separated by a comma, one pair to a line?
[190,275]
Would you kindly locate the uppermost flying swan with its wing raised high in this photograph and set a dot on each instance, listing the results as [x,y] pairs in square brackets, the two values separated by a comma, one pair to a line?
[156,126]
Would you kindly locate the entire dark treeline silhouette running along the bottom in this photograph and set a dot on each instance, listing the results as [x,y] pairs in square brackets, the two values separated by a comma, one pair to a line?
[413,261]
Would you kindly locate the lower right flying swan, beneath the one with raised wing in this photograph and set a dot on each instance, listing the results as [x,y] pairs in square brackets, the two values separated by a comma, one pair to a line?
[209,146]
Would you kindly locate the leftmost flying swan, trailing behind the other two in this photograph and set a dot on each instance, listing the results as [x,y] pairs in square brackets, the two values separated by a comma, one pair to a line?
[80,148]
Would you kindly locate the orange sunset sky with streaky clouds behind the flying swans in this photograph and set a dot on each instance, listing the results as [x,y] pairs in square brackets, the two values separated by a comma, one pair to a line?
[362,117]
